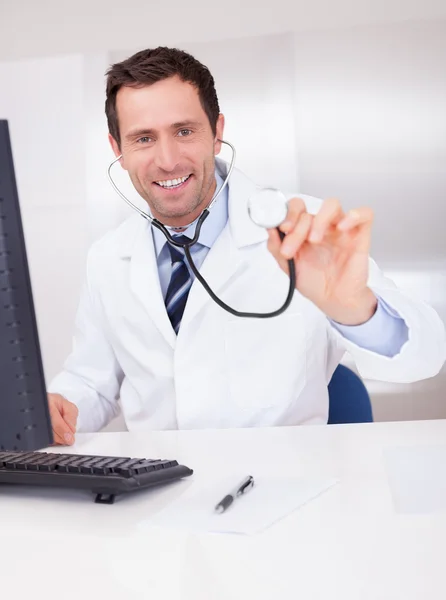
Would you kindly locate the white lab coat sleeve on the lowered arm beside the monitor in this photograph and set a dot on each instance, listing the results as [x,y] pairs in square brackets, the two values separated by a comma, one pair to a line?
[91,377]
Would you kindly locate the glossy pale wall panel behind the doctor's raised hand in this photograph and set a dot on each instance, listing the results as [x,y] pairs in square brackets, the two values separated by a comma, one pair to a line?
[371,130]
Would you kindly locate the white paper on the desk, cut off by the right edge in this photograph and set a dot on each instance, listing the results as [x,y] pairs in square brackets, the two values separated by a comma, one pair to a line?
[417,478]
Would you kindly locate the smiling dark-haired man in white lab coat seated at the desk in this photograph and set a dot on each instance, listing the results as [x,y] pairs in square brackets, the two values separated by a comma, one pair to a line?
[189,364]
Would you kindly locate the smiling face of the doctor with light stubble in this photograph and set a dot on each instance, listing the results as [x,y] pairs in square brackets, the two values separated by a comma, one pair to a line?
[168,148]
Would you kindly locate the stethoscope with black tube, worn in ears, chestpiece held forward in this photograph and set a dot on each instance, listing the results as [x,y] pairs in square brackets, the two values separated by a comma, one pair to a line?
[267,208]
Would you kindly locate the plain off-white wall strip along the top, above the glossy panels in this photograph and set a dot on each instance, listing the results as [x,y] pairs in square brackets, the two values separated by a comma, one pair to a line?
[47,27]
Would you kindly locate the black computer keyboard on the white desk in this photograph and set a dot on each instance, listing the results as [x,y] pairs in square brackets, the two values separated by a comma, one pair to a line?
[105,476]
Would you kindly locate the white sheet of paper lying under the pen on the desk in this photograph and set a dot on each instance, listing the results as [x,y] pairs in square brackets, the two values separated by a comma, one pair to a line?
[268,501]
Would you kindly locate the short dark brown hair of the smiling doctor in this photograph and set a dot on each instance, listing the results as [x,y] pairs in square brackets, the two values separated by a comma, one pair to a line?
[149,66]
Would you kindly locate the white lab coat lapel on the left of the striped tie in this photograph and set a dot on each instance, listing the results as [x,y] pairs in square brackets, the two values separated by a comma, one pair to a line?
[145,284]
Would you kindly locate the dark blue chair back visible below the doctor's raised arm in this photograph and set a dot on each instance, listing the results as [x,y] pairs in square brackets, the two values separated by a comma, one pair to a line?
[349,398]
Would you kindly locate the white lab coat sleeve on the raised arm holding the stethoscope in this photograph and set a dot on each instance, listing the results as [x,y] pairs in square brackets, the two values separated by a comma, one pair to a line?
[420,357]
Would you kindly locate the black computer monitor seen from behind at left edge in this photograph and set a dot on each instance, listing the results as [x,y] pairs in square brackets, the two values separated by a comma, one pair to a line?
[24,415]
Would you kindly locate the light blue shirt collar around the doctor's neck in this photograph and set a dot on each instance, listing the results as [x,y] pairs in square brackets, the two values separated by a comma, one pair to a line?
[211,228]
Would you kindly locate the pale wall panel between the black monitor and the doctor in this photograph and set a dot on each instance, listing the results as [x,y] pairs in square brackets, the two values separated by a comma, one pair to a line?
[43,102]
